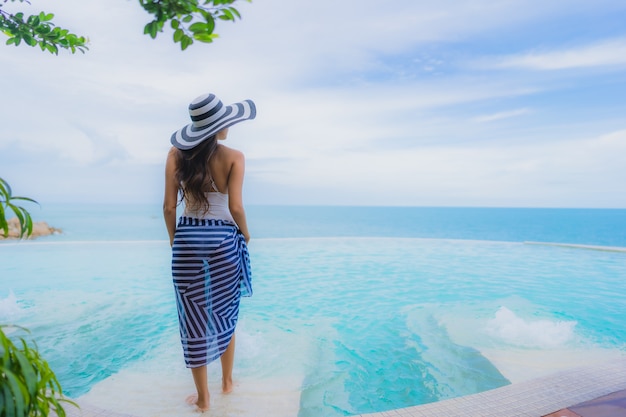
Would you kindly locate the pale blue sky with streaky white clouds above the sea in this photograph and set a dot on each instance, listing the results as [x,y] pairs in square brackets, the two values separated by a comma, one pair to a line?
[459,103]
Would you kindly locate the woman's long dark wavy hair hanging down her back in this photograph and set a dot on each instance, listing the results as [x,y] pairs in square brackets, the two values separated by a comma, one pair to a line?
[193,172]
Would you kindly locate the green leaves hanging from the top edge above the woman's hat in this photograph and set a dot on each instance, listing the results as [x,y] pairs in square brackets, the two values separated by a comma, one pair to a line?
[189,19]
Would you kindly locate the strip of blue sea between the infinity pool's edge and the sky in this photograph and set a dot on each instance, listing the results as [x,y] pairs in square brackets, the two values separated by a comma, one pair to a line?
[144,221]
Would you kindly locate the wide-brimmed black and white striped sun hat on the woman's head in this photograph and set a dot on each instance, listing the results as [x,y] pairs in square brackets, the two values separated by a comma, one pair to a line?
[208,116]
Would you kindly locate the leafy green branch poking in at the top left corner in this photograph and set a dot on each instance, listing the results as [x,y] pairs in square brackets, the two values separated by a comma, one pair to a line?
[38,30]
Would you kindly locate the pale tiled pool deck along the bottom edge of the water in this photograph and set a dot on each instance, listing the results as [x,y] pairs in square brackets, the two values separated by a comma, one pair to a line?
[591,391]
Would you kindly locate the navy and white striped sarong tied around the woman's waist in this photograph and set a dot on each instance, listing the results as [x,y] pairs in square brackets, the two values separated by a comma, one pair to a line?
[211,272]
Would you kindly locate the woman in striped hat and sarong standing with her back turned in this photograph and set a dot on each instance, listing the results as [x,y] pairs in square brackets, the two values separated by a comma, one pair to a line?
[210,262]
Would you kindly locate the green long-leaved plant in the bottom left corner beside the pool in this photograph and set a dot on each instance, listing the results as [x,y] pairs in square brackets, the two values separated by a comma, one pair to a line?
[28,387]
